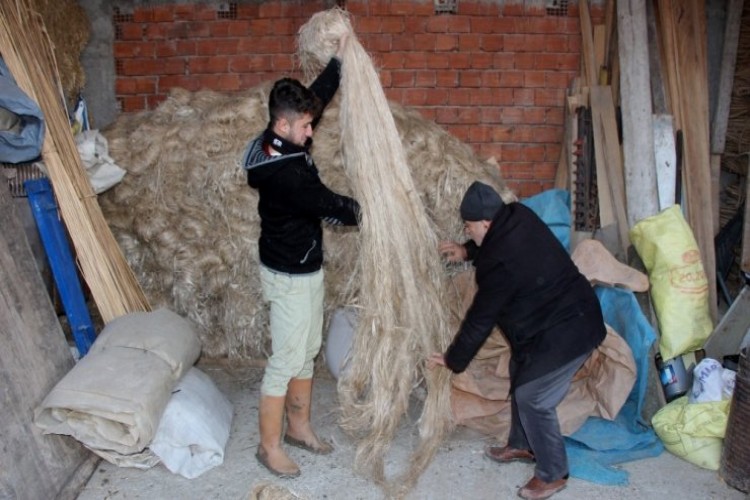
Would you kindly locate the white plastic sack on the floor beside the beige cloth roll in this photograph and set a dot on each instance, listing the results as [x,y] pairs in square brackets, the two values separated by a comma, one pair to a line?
[194,428]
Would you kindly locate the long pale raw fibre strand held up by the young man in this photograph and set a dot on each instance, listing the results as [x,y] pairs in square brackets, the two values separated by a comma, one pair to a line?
[401,318]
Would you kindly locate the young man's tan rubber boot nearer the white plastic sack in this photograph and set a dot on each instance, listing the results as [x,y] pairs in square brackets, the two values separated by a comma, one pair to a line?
[270,453]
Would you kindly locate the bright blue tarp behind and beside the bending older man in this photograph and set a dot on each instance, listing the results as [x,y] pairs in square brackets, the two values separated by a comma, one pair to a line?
[599,444]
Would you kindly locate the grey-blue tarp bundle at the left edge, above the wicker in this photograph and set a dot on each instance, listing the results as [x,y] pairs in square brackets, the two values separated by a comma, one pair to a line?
[23,143]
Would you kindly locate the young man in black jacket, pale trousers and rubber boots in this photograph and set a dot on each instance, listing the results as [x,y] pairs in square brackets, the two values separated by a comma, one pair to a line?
[293,202]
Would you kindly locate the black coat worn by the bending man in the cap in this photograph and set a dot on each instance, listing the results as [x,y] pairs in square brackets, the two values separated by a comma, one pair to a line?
[528,286]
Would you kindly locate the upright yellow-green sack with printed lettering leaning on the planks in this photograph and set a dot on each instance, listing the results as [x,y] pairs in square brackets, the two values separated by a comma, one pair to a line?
[679,286]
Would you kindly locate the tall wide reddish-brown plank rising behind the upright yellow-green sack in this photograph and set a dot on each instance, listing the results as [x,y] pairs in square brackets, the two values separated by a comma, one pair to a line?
[684,36]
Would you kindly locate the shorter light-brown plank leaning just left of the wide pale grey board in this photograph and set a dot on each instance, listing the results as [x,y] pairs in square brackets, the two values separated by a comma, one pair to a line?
[609,160]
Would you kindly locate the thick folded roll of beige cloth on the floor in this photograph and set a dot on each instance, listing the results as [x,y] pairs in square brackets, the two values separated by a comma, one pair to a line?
[113,399]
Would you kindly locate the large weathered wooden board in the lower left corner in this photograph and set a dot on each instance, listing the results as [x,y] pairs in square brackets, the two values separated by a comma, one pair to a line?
[33,358]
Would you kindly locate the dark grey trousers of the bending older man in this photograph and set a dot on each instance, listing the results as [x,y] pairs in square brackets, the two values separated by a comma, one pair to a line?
[534,424]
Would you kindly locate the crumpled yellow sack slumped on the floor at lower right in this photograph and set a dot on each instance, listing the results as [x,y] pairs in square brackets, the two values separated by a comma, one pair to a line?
[693,431]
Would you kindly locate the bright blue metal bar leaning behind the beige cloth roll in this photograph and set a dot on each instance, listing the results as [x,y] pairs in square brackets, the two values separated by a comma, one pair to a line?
[60,257]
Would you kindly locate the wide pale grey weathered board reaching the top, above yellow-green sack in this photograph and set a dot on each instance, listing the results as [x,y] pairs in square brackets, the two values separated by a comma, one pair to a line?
[635,96]
